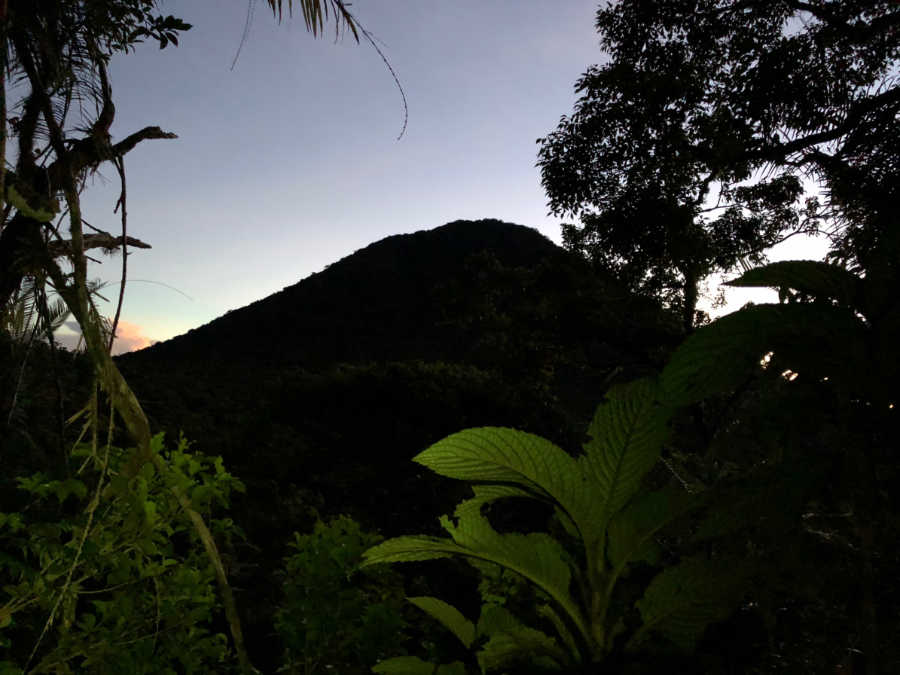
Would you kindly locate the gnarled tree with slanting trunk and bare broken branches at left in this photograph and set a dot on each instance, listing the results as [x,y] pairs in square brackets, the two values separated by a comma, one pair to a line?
[60,50]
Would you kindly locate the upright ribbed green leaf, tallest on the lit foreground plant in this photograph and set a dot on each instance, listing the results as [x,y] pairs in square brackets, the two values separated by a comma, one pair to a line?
[626,436]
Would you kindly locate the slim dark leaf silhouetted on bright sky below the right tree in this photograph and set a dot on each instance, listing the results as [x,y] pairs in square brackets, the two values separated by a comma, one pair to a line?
[811,277]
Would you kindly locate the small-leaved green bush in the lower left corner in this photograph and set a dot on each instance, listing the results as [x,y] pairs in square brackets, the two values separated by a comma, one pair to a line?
[102,572]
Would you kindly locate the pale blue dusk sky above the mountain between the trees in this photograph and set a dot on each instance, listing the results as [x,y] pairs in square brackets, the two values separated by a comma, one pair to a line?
[291,160]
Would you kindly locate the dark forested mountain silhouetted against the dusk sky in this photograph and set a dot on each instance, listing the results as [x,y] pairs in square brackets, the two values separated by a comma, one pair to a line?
[322,392]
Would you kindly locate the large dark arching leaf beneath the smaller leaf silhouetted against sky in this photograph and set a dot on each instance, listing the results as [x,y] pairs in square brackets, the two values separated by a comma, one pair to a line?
[718,357]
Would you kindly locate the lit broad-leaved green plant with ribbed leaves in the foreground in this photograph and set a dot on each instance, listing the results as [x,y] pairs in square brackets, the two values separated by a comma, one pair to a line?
[609,523]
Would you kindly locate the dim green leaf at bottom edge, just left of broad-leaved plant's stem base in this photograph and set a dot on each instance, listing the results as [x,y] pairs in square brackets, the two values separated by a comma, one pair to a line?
[512,642]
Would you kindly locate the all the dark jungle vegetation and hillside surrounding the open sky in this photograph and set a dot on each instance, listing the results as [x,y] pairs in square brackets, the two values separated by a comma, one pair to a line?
[610,481]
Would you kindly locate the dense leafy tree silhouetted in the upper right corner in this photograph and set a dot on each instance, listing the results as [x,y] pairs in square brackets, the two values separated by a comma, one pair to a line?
[685,153]
